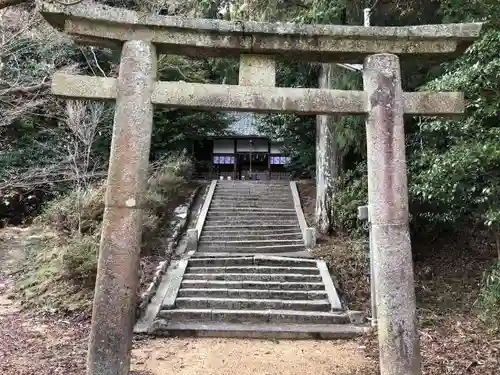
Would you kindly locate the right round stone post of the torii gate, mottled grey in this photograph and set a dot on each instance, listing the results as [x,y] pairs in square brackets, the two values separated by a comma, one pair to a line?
[388,202]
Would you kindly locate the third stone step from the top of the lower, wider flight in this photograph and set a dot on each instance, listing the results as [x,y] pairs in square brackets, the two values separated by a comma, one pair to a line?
[284,277]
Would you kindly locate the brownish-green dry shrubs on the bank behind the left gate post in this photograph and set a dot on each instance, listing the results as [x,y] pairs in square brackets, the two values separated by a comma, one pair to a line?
[60,253]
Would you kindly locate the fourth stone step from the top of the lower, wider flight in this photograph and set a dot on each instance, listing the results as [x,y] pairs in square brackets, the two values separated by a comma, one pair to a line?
[247,284]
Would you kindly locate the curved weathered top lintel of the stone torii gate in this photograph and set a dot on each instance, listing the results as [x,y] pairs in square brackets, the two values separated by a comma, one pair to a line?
[108,26]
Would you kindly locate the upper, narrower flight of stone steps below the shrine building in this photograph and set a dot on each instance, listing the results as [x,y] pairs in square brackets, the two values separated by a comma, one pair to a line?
[251,217]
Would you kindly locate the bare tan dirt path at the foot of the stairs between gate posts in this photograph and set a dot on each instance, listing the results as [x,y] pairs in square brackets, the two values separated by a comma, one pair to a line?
[245,357]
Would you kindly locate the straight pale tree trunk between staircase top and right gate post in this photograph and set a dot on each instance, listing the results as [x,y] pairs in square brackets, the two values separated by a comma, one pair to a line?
[326,159]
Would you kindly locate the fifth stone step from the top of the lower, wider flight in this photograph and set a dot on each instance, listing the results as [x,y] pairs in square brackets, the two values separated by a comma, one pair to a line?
[254,293]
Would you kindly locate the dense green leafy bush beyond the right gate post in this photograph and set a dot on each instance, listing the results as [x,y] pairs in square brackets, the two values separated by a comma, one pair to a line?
[455,163]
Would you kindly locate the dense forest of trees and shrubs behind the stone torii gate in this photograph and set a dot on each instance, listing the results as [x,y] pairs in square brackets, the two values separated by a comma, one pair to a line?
[50,147]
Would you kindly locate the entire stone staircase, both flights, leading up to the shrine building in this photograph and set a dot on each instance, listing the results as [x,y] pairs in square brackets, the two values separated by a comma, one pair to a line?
[242,280]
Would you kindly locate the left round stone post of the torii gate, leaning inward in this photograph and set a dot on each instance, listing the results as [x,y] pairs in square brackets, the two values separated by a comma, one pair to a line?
[113,313]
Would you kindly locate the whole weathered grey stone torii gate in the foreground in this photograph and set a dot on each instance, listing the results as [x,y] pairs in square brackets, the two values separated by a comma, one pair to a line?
[141,36]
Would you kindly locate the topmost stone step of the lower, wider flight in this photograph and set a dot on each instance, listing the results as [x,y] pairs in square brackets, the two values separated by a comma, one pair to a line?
[249,261]
